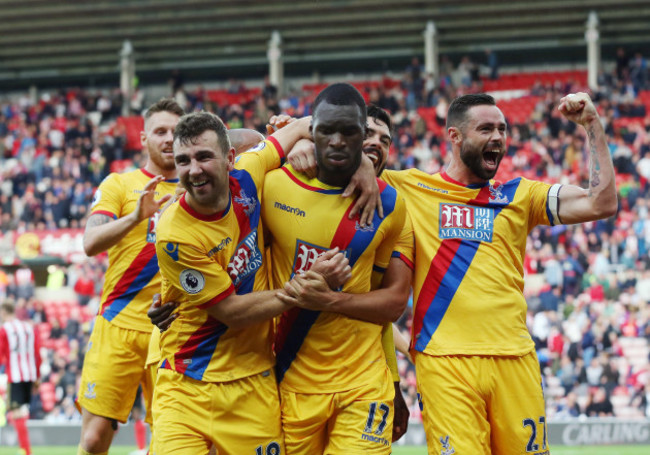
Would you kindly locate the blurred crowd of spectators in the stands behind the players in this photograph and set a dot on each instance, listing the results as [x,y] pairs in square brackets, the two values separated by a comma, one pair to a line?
[588,286]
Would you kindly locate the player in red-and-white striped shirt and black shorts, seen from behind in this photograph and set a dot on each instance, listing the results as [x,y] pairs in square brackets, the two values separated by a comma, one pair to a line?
[20,354]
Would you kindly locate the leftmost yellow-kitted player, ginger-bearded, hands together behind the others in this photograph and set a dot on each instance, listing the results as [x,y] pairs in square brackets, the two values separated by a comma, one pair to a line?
[123,219]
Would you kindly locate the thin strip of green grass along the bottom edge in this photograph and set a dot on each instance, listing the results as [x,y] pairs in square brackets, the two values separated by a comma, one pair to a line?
[556,450]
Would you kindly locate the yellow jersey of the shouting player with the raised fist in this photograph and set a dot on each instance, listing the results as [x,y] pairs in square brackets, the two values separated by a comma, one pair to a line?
[470,243]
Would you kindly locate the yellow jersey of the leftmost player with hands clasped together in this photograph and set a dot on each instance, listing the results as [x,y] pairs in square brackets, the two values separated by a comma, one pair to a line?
[132,277]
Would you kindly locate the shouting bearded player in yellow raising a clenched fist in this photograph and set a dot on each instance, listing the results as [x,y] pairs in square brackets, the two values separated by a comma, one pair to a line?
[477,372]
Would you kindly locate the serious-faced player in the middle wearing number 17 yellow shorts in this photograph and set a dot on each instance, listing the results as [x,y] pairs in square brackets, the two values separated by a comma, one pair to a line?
[337,392]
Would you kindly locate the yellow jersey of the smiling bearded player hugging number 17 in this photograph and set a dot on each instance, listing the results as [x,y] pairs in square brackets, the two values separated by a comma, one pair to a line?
[204,259]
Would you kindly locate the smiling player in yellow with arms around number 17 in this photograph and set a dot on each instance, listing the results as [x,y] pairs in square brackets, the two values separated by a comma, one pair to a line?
[216,384]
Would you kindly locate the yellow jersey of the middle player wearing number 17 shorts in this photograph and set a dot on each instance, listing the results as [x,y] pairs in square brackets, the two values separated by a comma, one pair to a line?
[326,352]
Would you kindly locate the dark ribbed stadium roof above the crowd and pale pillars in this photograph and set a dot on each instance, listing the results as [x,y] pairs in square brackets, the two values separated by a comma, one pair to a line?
[79,41]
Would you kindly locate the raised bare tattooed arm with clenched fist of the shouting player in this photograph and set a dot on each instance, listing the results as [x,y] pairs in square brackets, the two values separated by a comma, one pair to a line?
[575,204]
